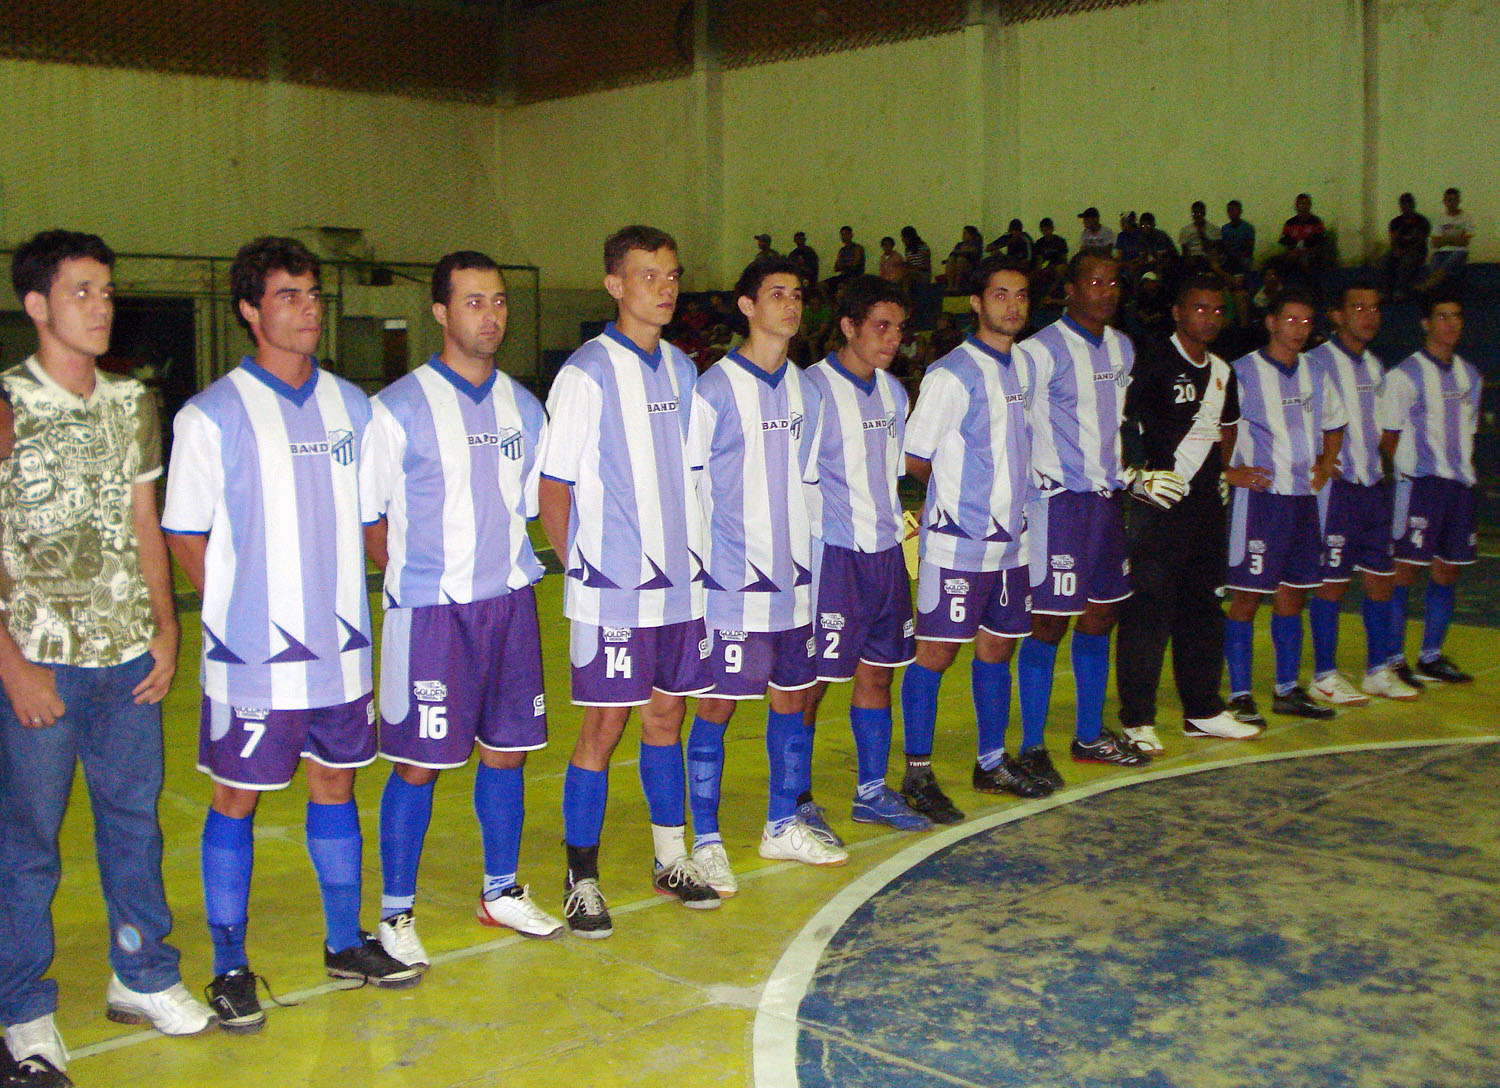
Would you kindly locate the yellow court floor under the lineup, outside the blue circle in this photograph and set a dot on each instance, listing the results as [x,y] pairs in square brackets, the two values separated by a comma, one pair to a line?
[673,997]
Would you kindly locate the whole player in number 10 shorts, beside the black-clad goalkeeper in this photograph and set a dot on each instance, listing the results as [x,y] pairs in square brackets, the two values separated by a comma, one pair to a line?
[1078,370]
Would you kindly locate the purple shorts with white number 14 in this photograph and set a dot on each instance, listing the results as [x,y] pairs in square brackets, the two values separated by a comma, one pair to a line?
[620,667]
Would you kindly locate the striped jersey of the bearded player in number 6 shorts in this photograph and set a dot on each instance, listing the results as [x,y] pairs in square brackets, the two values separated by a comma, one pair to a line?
[970,422]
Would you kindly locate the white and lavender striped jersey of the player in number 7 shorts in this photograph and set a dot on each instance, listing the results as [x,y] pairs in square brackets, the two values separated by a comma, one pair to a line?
[271,475]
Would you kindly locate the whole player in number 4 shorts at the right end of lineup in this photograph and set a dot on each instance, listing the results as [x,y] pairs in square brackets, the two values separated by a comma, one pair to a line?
[1429,416]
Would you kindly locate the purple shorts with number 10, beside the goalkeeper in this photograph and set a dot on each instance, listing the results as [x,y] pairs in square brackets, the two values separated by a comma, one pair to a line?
[1078,552]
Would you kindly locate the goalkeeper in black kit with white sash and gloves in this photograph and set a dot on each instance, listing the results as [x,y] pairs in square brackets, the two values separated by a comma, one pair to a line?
[1180,400]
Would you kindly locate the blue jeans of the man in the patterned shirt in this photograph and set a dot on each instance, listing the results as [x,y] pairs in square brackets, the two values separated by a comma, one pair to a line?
[121,748]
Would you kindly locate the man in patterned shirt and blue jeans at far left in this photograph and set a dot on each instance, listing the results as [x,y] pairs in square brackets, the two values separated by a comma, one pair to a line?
[88,652]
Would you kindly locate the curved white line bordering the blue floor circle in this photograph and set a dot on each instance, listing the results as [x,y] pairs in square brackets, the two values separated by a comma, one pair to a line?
[776,1023]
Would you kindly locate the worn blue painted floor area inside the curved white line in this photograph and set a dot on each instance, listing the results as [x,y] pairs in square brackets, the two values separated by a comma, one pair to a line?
[1322,922]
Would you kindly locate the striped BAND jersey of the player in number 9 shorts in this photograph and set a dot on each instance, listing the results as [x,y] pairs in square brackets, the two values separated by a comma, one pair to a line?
[751,442]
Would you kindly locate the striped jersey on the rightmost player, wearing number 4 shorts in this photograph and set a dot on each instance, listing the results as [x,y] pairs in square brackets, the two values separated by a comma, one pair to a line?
[1436,409]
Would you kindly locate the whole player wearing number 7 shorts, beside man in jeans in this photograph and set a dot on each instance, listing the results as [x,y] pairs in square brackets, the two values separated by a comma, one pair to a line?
[263,515]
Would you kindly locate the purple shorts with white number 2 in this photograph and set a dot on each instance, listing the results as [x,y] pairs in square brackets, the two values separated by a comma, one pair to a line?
[865,612]
